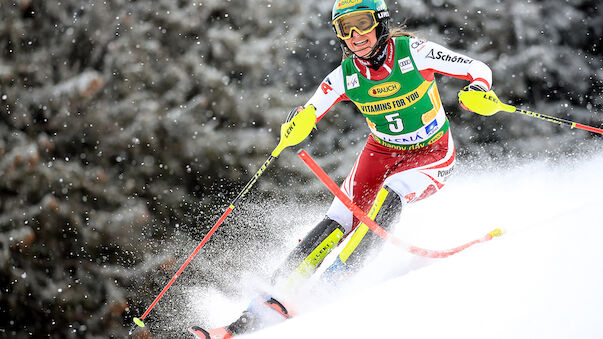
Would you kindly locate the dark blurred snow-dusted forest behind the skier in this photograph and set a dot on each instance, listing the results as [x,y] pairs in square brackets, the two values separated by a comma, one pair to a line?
[127,124]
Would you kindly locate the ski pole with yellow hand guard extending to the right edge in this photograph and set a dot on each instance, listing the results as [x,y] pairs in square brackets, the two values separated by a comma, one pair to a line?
[487,103]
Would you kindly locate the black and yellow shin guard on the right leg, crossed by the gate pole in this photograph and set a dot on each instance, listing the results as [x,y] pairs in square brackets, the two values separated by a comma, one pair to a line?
[385,211]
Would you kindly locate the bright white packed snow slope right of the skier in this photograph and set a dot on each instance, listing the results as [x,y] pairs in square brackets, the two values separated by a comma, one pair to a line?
[542,279]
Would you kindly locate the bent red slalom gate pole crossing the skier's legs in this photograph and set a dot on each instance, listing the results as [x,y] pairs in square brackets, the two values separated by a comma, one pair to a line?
[371,224]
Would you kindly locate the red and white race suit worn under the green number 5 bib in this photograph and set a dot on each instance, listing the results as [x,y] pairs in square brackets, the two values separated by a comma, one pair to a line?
[412,174]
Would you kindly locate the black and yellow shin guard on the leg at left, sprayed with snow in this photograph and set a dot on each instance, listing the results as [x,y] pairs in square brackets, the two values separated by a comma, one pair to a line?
[309,253]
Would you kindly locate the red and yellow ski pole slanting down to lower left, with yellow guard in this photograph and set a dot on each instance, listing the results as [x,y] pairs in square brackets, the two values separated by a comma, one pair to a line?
[292,133]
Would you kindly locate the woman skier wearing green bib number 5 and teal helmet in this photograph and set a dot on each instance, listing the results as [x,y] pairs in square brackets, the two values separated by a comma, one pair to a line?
[409,154]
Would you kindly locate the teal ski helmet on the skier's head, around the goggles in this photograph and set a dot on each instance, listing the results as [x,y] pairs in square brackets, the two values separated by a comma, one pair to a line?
[379,9]
